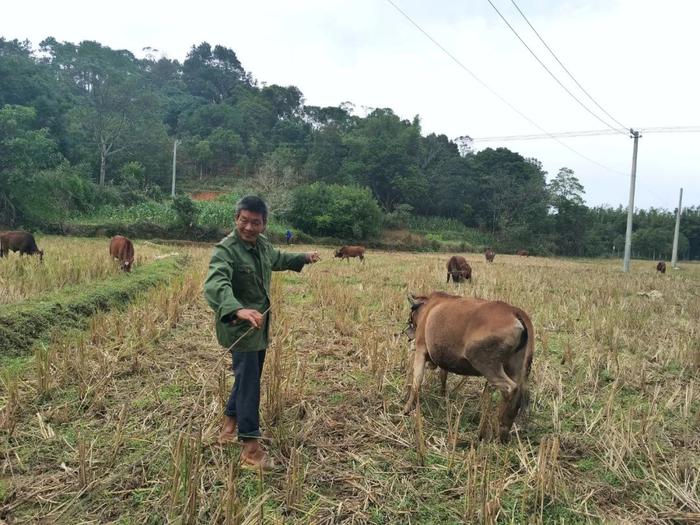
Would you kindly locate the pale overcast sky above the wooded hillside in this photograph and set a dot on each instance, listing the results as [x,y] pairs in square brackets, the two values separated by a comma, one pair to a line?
[456,65]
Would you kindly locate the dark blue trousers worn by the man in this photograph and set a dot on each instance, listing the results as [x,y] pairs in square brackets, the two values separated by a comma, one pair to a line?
[244,401]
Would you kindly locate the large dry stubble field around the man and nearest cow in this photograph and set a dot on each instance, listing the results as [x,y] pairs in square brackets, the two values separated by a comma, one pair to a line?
[116,425]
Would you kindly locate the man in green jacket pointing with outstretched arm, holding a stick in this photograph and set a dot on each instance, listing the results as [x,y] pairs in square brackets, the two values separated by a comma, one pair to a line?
[238,290]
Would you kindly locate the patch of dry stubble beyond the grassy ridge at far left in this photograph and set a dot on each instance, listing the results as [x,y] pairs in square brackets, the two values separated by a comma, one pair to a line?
[67,261]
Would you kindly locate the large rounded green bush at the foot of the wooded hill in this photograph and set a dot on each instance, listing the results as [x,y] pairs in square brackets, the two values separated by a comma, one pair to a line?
[347,212]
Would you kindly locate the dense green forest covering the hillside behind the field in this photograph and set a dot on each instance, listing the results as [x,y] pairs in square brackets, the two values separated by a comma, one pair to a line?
[82,125]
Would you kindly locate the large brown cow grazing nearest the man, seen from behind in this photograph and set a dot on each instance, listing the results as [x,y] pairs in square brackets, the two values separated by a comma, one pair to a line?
[473,337]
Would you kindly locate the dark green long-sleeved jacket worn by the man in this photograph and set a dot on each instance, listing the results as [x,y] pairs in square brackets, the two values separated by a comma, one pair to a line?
[239,277]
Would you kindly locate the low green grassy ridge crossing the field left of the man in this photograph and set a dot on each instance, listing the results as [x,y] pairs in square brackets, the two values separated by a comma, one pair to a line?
[23,323]
